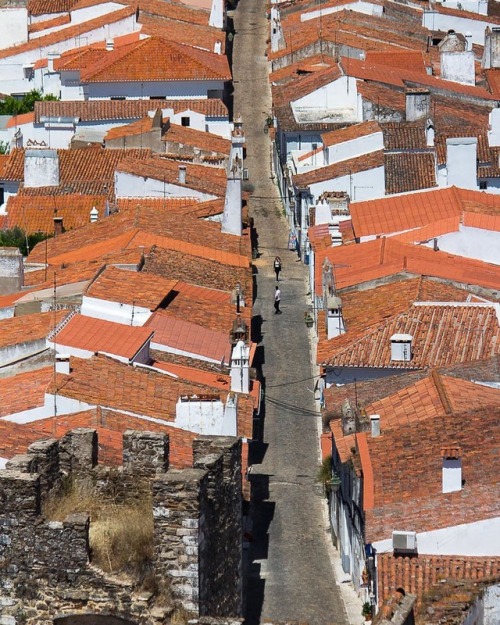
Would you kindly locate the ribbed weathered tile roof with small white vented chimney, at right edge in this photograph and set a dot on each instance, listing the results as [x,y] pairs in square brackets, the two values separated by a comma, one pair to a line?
[442,334]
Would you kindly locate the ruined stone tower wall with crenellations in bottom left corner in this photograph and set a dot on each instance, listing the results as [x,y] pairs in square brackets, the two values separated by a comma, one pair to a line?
[46,569]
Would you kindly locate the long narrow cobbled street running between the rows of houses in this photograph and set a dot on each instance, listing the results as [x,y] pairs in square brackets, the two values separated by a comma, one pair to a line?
[290,572]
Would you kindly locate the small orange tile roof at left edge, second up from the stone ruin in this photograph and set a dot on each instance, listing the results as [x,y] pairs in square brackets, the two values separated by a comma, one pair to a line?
[23,391]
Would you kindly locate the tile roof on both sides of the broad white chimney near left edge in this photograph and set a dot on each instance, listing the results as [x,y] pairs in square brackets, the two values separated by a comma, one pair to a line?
[79,166]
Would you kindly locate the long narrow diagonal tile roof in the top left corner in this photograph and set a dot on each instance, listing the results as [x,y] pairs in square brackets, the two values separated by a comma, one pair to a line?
[66,34]
